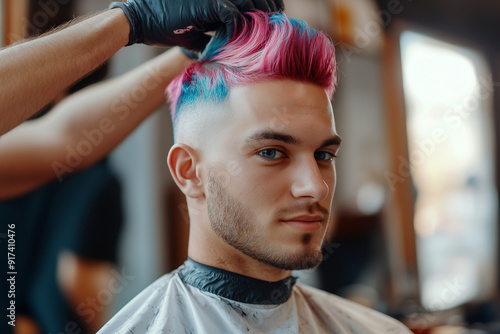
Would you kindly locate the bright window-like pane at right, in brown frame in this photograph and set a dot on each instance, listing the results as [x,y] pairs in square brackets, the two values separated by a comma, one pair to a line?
[448,94]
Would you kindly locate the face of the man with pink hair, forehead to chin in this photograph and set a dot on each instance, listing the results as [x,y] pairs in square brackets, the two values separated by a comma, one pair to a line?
[271,173]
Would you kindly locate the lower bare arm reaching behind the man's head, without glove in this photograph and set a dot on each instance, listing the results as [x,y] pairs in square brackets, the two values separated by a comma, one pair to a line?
[84,127]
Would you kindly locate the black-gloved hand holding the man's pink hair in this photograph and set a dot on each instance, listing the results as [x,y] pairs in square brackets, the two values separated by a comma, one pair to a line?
[183,22]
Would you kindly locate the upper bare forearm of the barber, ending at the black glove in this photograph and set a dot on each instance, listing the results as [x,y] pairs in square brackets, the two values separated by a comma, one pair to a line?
[35,72]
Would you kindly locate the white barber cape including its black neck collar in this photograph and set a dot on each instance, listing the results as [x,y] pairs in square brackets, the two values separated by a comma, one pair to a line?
[196,298]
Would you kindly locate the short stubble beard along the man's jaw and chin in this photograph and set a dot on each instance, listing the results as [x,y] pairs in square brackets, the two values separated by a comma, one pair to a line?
[236,225]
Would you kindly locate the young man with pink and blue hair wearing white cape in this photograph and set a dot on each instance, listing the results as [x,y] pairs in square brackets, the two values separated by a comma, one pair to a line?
[254,153]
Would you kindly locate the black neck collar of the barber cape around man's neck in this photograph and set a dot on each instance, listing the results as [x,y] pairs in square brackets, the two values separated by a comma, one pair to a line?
[234,286]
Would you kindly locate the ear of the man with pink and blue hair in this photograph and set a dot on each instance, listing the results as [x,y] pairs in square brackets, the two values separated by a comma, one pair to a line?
[182,161]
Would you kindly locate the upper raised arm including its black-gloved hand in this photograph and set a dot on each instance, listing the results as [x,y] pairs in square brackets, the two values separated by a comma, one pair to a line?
[34,72]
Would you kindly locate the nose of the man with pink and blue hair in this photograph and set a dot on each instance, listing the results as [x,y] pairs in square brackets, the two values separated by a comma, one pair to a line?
[308,181]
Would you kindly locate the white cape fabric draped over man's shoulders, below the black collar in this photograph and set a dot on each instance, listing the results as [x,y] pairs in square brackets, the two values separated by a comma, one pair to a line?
[171,306]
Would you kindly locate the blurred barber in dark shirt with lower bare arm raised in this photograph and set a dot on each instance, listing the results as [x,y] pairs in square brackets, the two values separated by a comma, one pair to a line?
[69,228]
